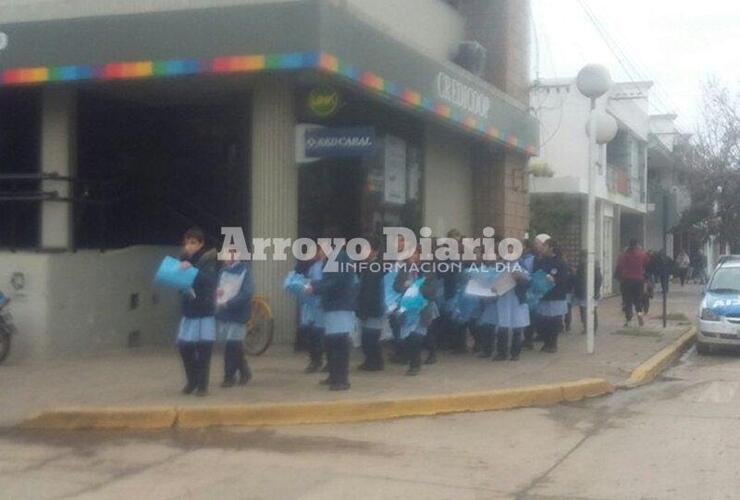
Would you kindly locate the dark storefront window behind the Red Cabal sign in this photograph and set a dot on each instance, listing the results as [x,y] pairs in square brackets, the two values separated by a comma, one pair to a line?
[360,195]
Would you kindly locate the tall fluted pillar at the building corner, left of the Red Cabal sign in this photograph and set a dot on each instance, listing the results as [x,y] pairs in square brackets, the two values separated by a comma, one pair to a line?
[274,185]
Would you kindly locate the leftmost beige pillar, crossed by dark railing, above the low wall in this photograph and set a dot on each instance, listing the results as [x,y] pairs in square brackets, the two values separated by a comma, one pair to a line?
[58,156]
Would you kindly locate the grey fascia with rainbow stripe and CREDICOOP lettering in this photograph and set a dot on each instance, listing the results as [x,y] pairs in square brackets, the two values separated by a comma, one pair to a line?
[284,36]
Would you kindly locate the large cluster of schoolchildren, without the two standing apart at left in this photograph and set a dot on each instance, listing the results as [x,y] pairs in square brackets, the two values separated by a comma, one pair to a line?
[415,310]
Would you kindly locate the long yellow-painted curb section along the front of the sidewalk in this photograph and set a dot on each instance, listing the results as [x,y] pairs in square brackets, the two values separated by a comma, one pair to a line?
[314,412]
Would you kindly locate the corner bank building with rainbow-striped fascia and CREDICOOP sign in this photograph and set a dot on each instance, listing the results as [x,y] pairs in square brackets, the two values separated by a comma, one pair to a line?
[122,123]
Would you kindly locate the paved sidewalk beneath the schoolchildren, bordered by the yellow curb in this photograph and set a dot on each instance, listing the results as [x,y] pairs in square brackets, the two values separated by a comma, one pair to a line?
[143,377]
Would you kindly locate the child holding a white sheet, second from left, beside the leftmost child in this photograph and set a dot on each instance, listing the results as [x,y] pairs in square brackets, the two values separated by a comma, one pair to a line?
[233,308]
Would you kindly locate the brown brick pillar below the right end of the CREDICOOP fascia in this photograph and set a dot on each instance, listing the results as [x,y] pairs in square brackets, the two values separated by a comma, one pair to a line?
[501,193]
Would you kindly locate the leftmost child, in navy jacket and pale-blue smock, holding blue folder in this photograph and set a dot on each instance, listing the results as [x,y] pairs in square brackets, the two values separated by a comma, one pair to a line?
[197,331]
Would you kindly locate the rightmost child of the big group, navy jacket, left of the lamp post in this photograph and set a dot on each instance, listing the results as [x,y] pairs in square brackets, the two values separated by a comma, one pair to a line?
[553,306]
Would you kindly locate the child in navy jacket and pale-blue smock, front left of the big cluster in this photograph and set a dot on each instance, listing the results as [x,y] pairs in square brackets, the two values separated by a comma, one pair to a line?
[338,291]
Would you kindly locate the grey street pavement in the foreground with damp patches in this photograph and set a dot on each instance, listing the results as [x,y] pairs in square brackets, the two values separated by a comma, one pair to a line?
[678,438]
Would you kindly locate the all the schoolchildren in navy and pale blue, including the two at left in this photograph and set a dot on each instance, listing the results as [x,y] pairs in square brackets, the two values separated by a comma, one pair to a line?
[411,308]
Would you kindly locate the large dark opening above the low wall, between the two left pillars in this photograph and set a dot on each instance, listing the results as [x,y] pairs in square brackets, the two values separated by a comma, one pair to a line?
[155,159]
